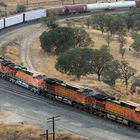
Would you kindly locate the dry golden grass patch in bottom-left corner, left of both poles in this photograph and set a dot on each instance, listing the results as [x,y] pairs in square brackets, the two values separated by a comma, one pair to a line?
[19,132]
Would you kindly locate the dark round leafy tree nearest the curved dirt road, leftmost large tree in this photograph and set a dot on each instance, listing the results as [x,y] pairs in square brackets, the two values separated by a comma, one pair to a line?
[57,40]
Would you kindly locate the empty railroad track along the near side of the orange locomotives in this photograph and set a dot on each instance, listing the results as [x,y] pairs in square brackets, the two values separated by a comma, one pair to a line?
[45,100]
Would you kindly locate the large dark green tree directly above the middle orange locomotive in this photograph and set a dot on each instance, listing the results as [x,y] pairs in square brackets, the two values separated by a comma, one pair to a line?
[75,62]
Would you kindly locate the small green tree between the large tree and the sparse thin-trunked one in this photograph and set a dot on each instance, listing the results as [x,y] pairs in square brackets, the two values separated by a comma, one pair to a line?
[111,74]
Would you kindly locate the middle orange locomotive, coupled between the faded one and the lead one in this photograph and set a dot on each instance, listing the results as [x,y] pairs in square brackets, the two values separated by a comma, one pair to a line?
[76,95]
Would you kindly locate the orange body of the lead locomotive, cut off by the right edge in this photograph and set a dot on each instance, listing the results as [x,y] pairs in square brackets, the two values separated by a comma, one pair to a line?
[126,110]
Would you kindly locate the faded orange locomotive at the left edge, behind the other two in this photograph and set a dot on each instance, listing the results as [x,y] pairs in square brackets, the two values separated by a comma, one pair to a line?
[20,75]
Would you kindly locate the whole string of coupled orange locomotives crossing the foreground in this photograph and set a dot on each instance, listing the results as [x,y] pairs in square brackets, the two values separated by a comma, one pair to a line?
[81,97]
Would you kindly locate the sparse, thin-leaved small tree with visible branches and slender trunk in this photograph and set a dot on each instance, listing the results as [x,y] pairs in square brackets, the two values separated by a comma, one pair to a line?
[126,71]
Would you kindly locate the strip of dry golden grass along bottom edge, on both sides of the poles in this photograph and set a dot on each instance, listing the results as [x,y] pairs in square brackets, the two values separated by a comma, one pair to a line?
[32,132]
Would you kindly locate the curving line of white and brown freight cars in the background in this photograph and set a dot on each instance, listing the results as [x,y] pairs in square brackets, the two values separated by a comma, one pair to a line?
[64,10]
